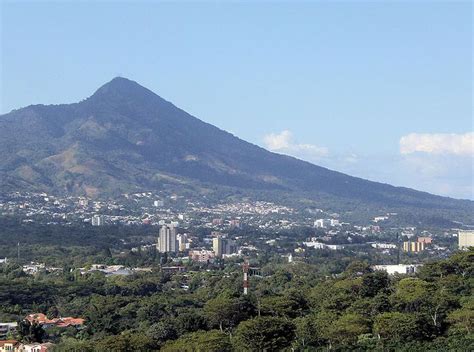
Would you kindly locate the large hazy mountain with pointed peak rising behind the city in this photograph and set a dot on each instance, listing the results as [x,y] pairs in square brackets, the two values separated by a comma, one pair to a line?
[124,138]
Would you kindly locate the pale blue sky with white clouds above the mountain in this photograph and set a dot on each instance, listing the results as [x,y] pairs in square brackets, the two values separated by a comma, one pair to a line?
[381,90]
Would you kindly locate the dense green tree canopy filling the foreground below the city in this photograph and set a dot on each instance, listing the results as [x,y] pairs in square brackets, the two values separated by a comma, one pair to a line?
[292,307]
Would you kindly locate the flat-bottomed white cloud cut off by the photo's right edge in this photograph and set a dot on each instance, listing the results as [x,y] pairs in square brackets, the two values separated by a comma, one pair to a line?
[438,143]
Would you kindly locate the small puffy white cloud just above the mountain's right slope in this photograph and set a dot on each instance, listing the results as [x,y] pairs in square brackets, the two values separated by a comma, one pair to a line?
[283,143]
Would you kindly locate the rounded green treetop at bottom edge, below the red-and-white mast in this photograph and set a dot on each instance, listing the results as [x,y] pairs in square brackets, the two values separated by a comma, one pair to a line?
[264,333]
